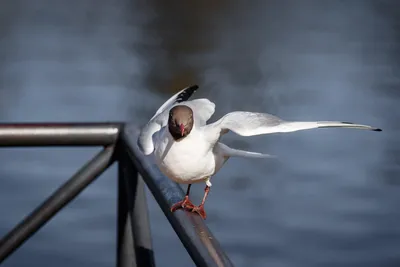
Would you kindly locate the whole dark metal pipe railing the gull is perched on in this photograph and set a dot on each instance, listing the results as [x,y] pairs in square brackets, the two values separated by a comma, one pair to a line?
[134,246]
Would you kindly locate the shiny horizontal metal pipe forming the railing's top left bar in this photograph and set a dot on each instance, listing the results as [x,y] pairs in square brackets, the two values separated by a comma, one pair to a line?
[59,134]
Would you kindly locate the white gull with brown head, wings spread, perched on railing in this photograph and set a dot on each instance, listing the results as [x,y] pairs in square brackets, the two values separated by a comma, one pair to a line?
[188,150]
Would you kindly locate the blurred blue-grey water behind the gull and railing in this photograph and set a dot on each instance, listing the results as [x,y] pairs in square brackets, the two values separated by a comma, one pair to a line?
[331,199]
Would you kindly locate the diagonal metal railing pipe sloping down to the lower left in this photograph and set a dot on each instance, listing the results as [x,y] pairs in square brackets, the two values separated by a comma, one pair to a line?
[61,197]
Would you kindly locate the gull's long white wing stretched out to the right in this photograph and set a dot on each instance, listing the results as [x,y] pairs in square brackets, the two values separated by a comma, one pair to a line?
[250,123]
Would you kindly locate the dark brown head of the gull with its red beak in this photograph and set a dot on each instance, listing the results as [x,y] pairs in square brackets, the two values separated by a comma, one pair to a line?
[180,121]
